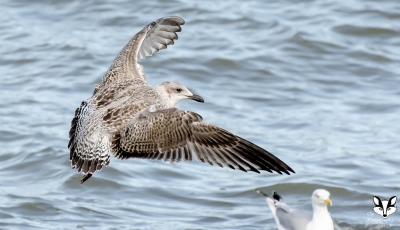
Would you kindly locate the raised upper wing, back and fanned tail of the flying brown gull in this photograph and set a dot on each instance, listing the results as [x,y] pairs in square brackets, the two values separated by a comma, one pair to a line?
[121,94]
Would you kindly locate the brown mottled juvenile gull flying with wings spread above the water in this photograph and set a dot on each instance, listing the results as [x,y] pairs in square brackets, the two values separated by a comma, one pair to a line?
[131,119]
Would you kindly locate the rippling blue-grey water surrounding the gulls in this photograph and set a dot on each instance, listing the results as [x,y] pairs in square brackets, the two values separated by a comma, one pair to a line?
[317,83]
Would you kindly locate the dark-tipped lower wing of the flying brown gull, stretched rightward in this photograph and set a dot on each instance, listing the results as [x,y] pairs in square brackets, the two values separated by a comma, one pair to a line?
[175,135]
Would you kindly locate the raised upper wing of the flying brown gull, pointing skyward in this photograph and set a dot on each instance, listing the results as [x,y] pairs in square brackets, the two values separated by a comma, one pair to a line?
[151,39]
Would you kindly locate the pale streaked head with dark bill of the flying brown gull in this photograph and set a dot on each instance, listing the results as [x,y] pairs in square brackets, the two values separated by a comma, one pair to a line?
[175,92]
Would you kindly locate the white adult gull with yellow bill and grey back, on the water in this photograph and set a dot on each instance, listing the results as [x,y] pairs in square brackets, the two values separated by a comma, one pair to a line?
[288,218]
